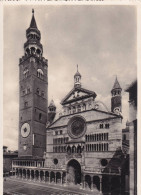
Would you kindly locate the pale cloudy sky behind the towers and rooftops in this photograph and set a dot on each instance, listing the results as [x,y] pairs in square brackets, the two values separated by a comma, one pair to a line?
[100,39]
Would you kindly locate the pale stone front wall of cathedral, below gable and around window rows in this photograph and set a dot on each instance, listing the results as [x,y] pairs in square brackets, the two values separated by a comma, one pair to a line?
[88,159]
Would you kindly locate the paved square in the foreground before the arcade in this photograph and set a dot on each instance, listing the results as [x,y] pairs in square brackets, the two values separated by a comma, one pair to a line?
[16,186]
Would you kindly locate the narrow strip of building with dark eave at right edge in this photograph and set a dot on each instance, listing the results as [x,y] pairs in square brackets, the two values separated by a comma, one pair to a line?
[132,90]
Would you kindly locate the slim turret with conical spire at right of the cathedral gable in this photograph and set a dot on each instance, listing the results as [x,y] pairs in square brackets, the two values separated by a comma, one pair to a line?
[116,105]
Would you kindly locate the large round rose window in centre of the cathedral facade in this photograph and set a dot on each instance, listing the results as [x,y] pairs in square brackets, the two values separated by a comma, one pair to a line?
[76,127]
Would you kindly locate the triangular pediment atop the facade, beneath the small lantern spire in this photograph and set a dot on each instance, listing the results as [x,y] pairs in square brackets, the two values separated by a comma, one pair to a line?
[77,94]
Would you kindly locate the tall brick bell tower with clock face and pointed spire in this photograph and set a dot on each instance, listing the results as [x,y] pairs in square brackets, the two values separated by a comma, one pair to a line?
[33,84]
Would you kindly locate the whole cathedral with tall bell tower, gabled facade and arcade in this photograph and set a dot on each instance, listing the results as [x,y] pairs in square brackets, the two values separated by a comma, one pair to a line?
[82,146]
